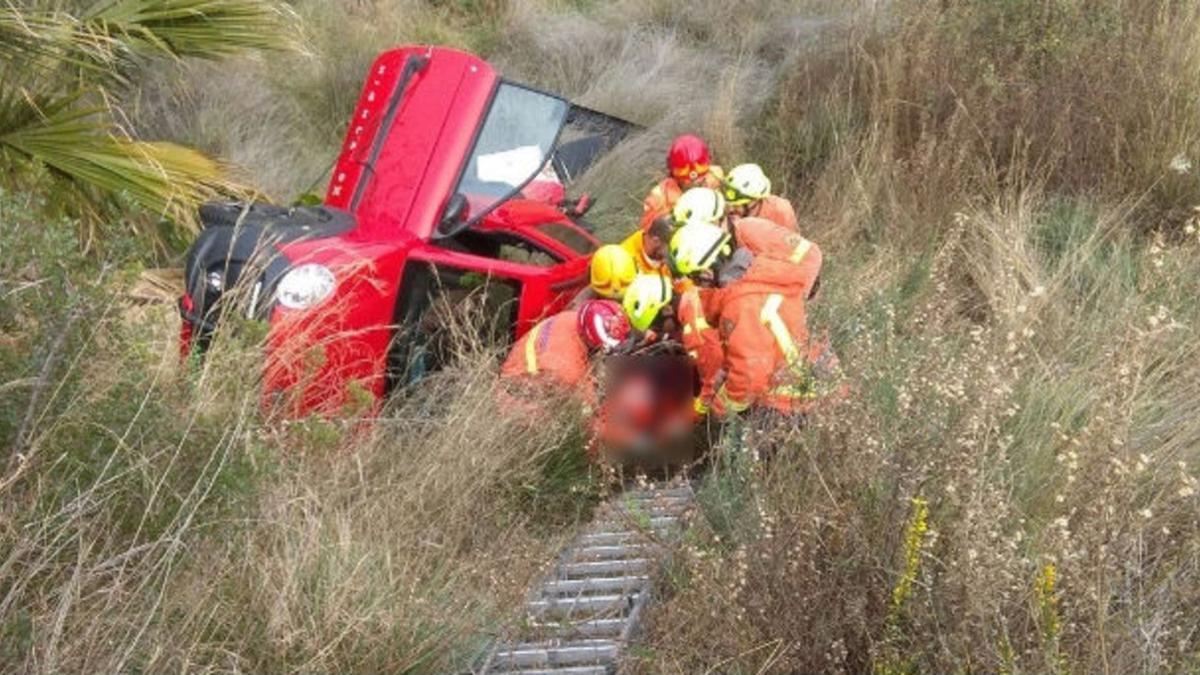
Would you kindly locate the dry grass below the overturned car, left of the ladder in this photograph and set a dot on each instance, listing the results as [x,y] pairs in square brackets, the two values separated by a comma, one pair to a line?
[304,547]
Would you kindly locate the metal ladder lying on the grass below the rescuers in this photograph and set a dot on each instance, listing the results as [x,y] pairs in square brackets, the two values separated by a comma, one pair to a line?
[590,606]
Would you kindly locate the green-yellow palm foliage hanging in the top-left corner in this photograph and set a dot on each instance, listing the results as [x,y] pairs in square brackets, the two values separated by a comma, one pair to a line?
[57,64]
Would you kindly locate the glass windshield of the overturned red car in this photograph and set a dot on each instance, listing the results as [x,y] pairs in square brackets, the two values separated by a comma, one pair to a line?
[514,146]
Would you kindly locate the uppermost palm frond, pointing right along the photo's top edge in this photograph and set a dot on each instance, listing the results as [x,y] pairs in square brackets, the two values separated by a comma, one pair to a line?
[206,29]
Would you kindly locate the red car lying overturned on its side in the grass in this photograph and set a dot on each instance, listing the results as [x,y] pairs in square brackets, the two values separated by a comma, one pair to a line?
[451,183]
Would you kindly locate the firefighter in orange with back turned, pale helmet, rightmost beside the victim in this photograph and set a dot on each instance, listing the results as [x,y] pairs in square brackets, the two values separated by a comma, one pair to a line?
[759,309]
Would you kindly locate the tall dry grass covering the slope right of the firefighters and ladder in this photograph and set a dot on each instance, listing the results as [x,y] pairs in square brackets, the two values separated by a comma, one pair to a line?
[1006,196]
